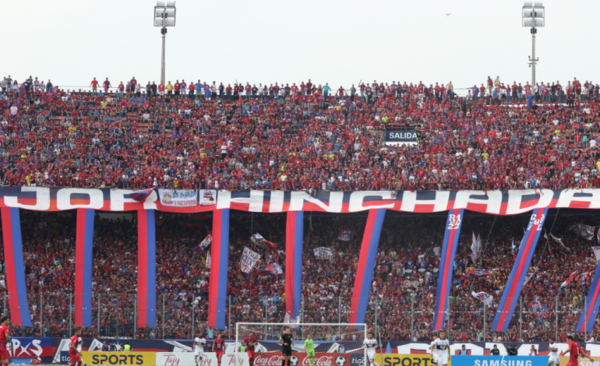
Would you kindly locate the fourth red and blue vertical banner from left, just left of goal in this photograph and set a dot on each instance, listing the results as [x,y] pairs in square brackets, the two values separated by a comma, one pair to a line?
[219,256]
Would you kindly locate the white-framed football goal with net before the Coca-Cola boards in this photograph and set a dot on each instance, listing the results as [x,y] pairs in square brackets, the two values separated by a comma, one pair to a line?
[328,338]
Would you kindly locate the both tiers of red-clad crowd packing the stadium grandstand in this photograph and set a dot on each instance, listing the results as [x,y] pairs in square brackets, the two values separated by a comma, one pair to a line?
[304,137]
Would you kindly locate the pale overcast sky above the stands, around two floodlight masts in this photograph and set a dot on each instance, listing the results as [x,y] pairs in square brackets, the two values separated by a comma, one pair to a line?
[265,41]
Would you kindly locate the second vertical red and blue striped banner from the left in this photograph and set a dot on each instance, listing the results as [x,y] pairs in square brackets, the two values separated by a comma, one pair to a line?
[83,267]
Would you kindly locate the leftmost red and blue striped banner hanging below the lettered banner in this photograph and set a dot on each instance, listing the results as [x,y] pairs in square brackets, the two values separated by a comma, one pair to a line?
[15,270]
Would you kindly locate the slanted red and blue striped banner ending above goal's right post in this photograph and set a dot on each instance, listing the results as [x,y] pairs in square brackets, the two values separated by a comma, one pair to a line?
[366,265]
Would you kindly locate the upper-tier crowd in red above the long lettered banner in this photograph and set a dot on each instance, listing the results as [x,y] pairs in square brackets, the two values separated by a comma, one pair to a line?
[299,137]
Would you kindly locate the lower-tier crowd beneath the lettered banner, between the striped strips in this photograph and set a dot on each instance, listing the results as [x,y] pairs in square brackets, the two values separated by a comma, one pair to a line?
[402,298]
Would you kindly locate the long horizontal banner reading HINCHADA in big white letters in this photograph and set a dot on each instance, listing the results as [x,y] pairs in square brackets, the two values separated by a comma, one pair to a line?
[508,202]
